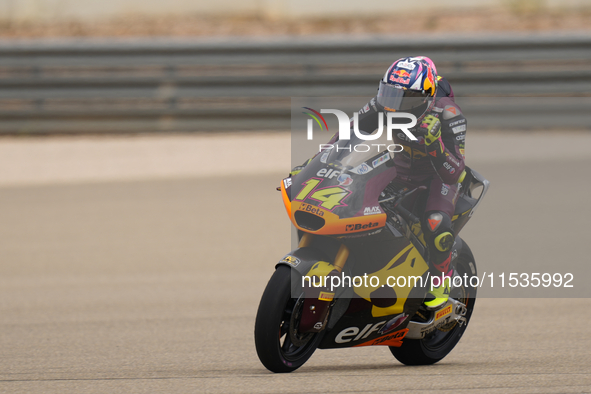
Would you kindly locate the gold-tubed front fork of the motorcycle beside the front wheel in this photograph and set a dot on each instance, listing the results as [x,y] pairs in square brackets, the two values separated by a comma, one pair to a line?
[317,294]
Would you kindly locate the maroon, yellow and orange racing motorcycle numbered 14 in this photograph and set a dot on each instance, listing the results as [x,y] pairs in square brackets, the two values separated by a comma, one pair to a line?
[354,224]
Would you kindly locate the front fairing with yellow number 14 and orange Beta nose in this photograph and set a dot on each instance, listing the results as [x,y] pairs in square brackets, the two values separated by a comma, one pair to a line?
[337,192]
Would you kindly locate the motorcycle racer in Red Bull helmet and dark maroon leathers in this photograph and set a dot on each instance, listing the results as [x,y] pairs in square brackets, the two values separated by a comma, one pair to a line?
[435,159]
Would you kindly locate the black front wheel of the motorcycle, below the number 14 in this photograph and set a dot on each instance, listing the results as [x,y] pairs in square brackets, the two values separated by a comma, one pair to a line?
[280,347]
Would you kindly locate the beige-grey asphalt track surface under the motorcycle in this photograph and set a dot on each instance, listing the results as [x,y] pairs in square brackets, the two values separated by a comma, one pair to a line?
[152,286]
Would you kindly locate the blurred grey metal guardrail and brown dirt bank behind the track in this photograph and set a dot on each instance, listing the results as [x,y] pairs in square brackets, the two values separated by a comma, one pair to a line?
[145,66]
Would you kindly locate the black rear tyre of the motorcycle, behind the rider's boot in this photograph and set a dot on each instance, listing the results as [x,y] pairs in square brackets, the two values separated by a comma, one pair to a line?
[440,343]
